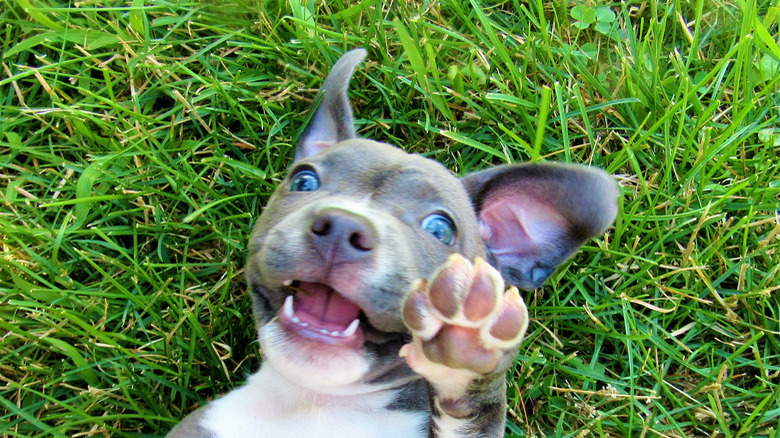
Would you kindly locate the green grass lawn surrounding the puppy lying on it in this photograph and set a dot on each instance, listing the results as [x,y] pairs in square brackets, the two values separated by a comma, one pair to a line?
[139,141]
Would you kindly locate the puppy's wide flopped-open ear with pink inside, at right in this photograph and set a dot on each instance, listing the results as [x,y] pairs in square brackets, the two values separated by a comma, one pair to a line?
[535,216]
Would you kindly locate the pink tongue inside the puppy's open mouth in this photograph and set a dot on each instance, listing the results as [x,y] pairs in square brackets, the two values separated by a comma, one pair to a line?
[319,305]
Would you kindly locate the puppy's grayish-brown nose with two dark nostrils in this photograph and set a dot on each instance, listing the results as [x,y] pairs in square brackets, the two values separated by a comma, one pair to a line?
[341,236]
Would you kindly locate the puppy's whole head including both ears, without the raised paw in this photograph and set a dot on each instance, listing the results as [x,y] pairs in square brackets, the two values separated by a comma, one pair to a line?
[356,222]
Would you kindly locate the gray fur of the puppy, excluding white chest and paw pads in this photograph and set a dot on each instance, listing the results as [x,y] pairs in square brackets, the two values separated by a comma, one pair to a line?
[378,189]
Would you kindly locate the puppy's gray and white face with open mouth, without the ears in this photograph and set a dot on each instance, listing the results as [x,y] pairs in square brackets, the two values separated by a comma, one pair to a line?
[337,249]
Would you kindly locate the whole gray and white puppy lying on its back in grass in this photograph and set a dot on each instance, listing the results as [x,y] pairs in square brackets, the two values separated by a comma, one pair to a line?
[378,285]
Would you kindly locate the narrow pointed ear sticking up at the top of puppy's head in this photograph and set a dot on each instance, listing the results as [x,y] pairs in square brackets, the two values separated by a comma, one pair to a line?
[332,122]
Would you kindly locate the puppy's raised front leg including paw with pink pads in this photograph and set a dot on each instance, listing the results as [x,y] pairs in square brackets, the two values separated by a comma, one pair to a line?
[466,331]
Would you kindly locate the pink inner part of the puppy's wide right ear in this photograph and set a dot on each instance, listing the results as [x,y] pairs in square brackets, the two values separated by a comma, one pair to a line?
[519,224]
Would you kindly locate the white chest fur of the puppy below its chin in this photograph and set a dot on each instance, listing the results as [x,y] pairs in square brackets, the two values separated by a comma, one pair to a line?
[268,406]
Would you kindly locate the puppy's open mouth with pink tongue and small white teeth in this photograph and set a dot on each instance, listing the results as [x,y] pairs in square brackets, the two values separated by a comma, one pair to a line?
[319,313]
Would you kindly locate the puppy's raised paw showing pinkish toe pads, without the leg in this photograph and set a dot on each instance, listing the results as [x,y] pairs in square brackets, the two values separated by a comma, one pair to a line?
[461,318]
